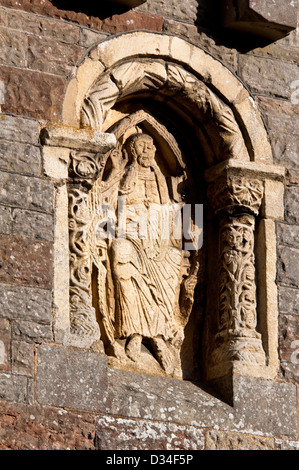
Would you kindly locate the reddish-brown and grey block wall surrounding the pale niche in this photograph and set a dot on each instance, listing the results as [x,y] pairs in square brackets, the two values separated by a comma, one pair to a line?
[42,404]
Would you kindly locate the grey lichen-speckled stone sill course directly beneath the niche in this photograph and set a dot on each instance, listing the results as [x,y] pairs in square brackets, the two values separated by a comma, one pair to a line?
[76,379]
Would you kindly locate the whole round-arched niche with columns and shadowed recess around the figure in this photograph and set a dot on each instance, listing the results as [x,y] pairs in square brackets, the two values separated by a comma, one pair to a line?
[203,119]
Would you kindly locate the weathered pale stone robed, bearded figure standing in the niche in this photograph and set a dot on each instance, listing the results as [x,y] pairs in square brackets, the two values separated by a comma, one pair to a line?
[142,272]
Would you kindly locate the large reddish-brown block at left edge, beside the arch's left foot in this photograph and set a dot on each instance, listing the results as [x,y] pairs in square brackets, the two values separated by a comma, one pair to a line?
[41,101]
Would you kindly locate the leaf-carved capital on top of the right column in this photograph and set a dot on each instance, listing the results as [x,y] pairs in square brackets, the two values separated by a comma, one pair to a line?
[236,193]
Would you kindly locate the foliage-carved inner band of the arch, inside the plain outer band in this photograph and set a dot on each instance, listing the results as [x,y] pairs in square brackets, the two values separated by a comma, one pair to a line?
[168,79]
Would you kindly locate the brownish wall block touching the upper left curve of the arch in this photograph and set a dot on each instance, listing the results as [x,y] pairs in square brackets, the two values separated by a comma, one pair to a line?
[52,56]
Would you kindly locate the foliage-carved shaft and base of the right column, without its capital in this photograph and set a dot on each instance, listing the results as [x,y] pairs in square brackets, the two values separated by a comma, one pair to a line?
[237,338]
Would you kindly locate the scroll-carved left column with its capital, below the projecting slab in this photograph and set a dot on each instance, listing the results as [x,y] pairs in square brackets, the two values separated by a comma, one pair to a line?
[84,169]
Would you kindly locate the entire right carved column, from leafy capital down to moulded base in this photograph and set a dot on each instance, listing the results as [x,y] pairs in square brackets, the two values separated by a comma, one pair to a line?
[235,201]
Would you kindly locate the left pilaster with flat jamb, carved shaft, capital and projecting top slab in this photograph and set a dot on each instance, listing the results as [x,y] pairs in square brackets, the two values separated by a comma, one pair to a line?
[74,159]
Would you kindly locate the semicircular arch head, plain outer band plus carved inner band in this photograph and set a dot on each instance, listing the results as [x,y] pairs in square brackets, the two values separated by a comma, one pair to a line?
[133,62]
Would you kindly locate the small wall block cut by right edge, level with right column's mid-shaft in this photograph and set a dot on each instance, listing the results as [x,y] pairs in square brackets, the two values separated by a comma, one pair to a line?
[287,272]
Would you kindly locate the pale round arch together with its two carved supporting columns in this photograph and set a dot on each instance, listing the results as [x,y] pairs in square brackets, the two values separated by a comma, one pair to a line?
[244,188]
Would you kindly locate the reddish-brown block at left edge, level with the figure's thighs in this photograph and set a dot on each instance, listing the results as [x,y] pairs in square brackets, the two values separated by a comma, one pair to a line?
[26,262]
